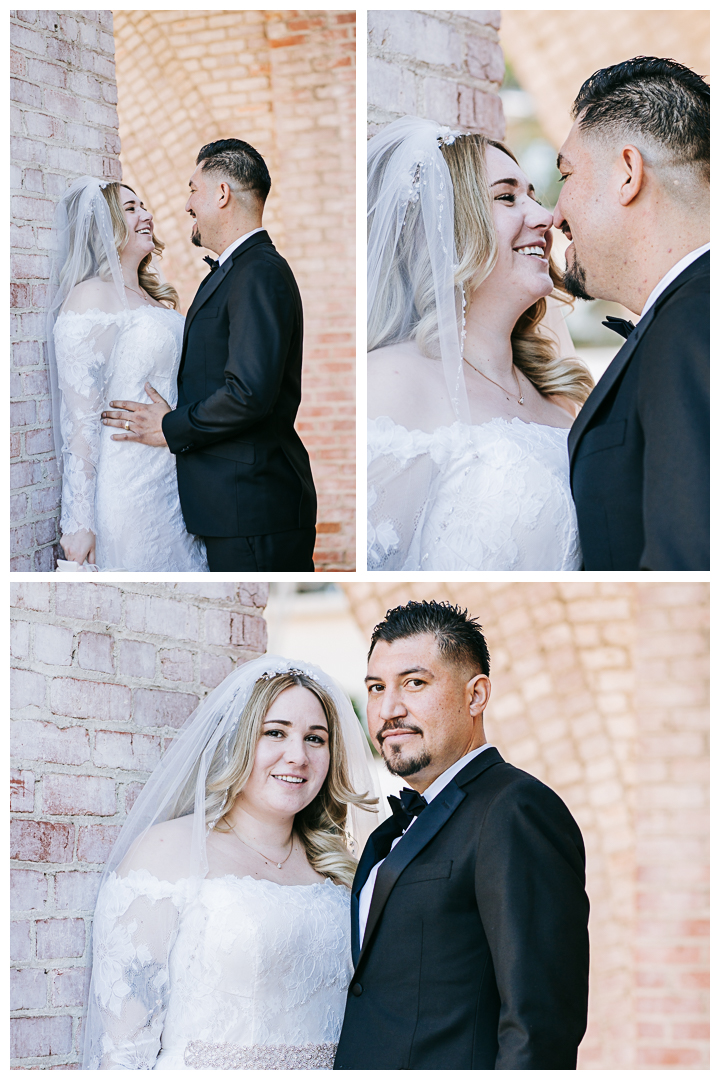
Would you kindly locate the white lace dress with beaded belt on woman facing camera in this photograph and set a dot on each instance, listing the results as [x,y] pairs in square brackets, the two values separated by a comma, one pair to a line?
[233,974]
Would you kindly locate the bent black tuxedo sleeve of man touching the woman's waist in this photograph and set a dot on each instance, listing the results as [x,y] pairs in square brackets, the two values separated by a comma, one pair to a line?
[263,320]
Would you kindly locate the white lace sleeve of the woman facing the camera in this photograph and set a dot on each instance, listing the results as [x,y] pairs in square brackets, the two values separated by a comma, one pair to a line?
[137,923]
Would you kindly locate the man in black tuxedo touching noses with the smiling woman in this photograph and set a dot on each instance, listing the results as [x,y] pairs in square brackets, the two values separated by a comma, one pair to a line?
[635,205]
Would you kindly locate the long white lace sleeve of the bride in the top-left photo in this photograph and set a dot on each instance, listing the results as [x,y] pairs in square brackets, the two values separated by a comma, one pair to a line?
[84,349]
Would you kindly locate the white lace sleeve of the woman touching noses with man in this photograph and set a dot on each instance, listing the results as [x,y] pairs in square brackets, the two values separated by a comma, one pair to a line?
[401,479]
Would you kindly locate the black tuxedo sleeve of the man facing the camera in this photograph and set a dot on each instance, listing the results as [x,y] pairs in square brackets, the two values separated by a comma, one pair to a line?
[531,889]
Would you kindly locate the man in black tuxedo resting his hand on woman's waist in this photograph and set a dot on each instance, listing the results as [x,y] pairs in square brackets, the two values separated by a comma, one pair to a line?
[243,474]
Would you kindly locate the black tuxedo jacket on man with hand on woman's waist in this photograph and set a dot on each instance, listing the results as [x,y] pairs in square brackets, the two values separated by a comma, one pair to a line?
[241,467]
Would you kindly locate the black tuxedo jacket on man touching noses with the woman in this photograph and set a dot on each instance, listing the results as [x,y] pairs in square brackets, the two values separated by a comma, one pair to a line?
[640,450]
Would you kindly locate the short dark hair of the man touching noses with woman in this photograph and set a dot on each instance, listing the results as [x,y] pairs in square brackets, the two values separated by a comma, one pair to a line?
[660,99]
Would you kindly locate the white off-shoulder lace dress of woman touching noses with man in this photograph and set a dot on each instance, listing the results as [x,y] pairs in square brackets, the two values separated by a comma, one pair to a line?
[487,497]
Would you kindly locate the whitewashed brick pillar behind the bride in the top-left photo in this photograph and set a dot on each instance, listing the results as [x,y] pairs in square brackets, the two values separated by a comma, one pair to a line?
[64,125]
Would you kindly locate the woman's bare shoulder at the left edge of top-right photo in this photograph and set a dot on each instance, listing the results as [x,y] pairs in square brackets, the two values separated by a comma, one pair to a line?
[401,382]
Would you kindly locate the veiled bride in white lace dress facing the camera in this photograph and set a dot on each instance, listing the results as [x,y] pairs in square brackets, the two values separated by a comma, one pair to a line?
[222,933]
